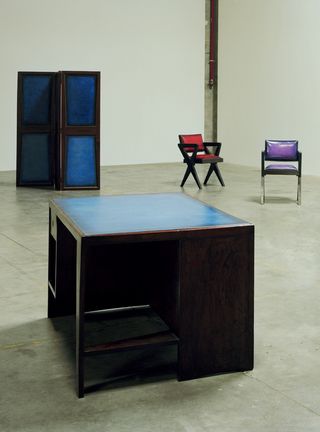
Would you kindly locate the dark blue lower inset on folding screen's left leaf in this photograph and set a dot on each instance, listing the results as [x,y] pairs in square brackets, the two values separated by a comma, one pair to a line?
[35,158]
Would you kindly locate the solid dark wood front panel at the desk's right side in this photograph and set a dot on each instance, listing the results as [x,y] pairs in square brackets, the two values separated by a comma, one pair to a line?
[216,305]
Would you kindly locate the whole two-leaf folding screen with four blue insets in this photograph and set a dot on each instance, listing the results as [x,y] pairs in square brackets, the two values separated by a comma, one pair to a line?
[58,139]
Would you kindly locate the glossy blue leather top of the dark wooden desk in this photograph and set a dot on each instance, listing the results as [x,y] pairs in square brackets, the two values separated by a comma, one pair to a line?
[103,215]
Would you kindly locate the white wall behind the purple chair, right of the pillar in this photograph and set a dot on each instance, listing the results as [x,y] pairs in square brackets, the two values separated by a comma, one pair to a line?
[269,78]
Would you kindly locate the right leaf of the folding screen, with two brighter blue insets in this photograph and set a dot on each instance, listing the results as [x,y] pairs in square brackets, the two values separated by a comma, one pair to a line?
[79,130]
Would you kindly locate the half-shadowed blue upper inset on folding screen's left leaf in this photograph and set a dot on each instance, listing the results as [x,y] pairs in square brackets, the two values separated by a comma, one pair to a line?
[36,97]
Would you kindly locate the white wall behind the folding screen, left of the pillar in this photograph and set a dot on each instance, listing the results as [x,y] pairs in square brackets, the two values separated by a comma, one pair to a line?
[150,54]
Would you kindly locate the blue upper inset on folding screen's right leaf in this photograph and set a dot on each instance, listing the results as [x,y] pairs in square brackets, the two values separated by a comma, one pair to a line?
[81,99]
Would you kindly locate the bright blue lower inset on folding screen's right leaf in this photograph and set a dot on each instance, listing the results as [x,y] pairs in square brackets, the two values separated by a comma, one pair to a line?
[80,161]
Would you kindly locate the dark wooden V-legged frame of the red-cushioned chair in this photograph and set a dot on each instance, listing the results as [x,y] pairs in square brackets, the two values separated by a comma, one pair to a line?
[192,159]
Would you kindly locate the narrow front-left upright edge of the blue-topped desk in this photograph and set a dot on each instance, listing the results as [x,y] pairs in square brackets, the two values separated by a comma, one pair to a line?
[80,296]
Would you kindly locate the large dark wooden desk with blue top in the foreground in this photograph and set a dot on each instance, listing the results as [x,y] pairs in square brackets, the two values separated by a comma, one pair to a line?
[191,262]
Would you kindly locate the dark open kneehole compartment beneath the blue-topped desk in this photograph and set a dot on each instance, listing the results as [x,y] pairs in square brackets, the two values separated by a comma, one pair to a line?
[132,276]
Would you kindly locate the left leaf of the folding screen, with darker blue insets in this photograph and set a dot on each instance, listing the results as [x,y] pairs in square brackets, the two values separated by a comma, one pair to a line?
[36,128]
